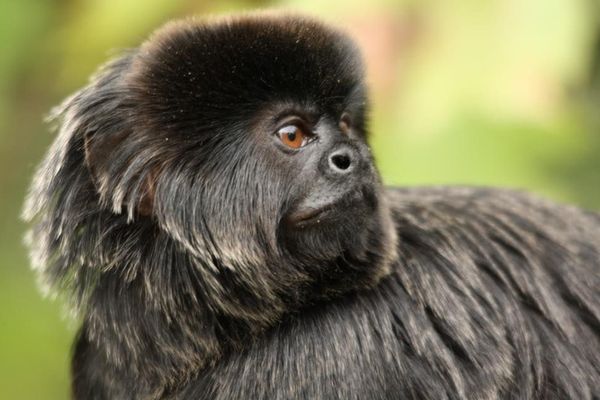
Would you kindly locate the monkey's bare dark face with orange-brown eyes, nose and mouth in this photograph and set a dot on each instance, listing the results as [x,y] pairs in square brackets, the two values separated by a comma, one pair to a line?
[331,188]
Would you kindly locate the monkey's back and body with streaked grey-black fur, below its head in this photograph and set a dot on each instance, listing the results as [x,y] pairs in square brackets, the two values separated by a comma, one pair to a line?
[494,296]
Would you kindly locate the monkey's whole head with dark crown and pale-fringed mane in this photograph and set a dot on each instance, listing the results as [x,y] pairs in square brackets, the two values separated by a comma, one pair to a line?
[221,163]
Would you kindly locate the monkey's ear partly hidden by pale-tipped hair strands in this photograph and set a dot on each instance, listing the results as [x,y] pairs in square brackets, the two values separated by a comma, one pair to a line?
[119,173]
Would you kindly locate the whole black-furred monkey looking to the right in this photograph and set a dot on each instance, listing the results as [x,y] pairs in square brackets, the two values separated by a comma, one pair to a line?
[211,212]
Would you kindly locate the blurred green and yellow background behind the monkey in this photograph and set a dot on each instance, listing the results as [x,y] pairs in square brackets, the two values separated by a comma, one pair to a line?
[503,92]
